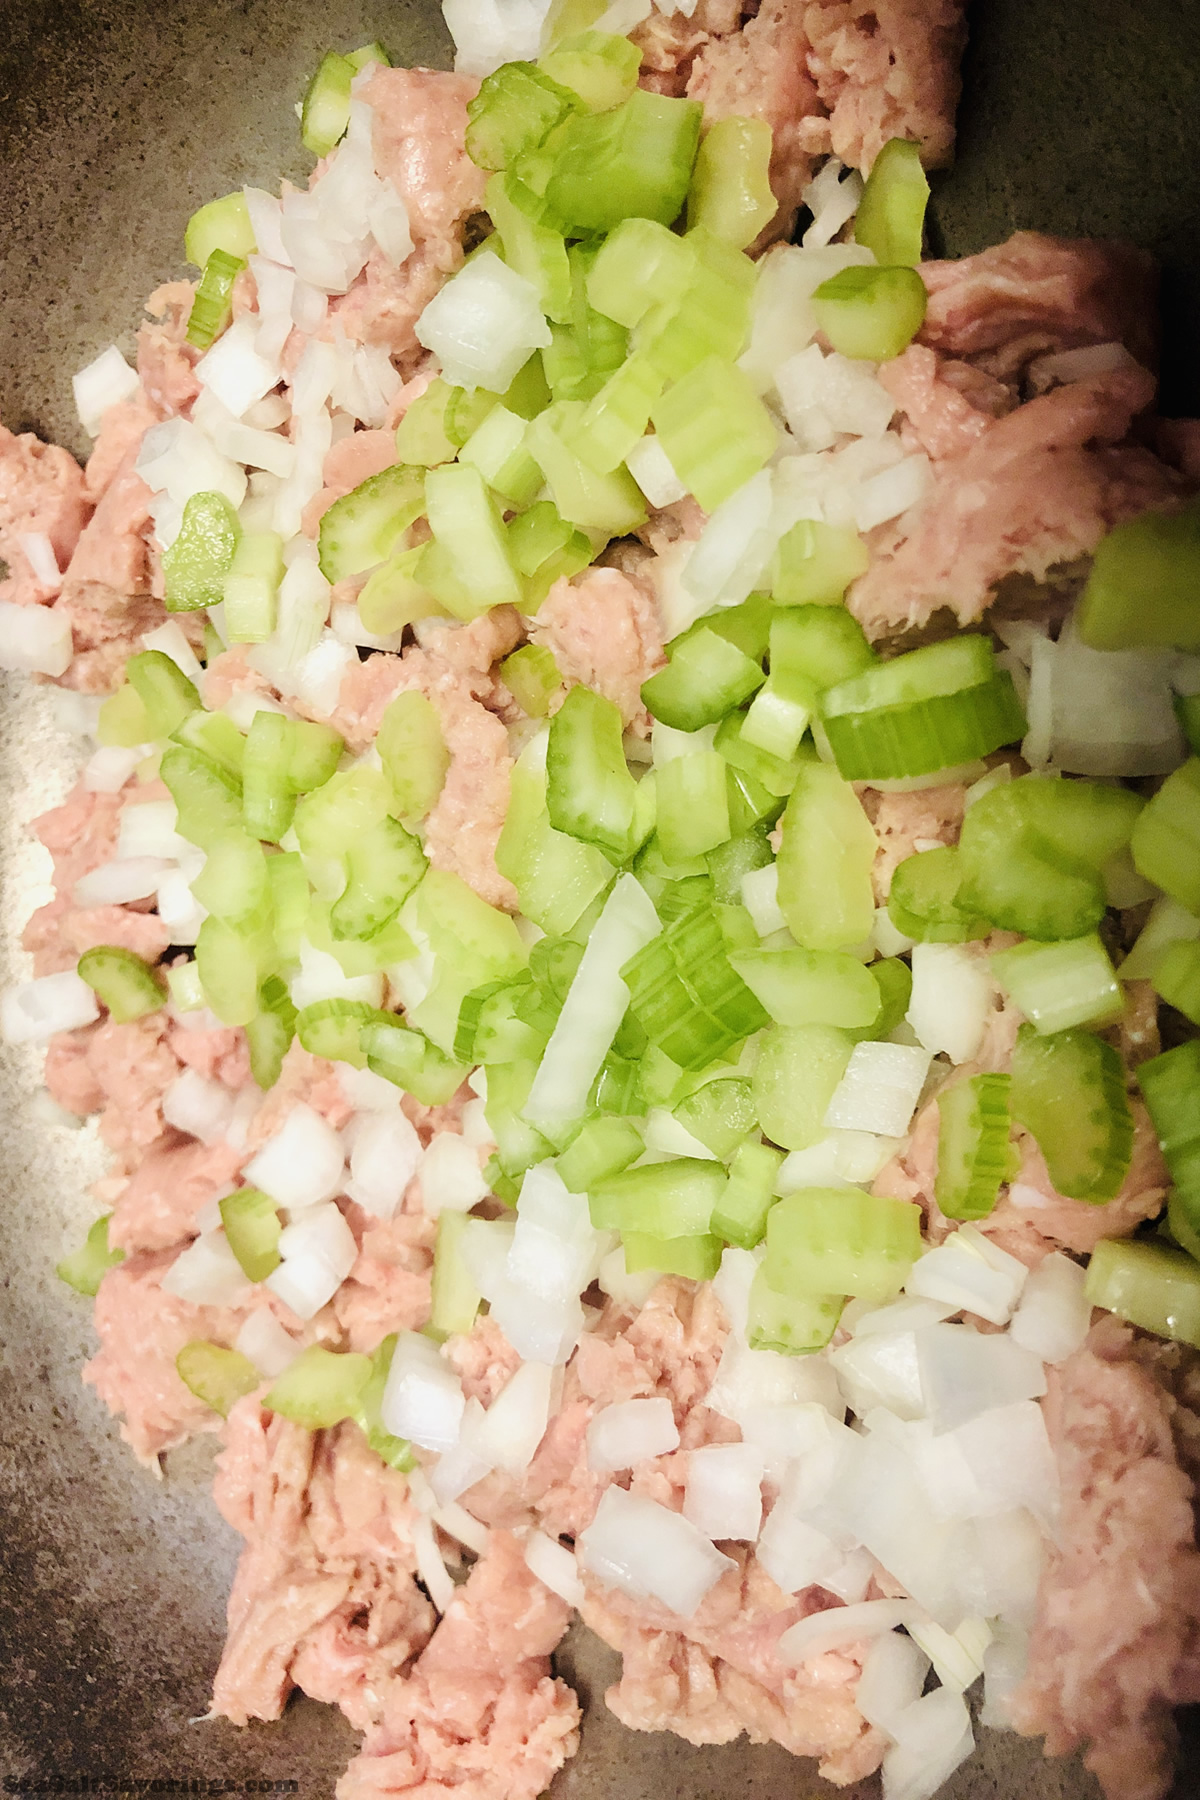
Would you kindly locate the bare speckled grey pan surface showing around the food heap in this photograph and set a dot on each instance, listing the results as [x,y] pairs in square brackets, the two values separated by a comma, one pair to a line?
[118,120]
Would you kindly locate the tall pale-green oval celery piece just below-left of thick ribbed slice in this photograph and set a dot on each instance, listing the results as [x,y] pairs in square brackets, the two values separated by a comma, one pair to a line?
[825,863]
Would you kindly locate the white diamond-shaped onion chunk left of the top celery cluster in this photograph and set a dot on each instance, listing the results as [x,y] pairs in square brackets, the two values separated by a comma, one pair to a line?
[483,325]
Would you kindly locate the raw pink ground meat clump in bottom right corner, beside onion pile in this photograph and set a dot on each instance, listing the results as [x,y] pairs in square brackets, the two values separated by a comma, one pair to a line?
[1116,1641]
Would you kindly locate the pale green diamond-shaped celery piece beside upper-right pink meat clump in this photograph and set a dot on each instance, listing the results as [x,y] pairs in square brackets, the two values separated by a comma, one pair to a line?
[715,431]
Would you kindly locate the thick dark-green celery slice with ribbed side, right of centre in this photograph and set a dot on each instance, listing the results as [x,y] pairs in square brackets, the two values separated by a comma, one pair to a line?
[933,708]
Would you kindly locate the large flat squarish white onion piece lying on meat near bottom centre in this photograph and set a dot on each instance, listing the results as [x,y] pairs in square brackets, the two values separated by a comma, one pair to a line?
[645,1549]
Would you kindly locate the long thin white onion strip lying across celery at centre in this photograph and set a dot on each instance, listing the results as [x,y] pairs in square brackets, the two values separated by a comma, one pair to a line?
[595,1007]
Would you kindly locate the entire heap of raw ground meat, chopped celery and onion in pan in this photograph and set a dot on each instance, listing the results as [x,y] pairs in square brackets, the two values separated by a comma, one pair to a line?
[632,913]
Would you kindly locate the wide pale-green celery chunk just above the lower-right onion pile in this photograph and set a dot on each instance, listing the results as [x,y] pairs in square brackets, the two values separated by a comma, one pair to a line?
[841,1241]
